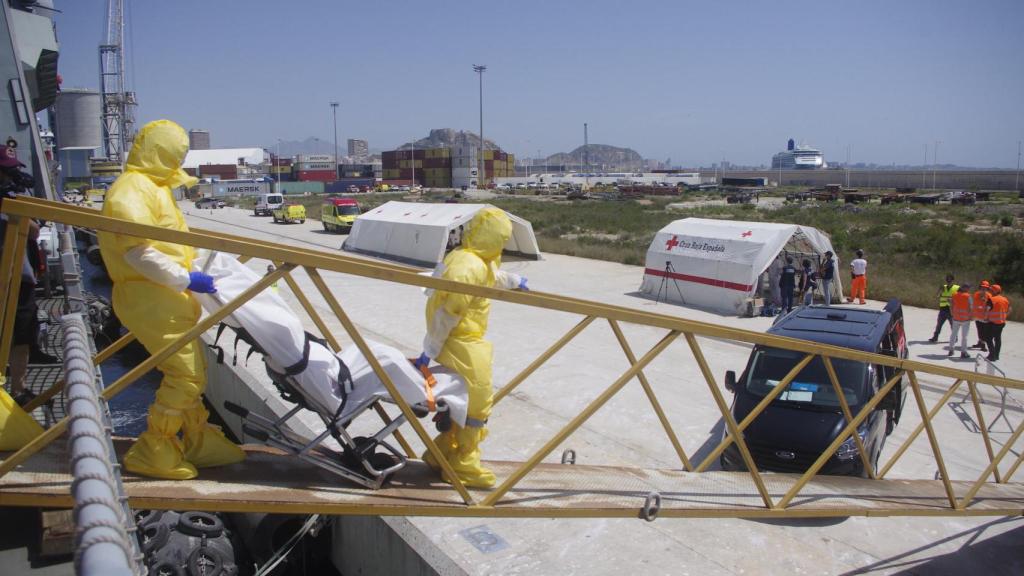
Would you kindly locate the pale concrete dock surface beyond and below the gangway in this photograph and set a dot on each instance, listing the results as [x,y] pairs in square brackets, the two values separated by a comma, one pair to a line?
[626,432]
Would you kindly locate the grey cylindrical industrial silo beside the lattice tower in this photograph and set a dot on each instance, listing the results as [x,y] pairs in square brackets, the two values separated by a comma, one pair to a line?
[78,130]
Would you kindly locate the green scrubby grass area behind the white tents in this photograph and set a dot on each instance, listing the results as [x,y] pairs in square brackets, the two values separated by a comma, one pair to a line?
[910,249]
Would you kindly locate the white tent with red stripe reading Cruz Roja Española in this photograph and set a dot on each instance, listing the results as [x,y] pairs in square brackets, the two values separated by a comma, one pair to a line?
[718,265]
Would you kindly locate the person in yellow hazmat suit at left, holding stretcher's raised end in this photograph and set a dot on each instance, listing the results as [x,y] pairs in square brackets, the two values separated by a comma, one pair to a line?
[152,298]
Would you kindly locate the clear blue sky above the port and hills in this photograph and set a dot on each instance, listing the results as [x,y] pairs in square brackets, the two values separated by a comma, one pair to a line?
[697,83]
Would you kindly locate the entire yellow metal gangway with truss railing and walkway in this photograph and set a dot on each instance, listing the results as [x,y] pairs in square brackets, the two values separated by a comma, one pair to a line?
[272,482]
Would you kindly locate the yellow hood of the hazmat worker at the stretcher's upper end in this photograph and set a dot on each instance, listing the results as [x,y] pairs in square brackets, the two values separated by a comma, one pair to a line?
[158,152]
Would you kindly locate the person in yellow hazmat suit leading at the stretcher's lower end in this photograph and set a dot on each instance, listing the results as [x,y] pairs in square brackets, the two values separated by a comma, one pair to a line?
[456,325]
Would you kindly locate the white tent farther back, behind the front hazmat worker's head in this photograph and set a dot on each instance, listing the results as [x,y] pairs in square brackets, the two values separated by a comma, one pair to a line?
[418,234]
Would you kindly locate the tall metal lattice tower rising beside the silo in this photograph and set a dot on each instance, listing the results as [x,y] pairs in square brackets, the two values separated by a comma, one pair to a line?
[118,105]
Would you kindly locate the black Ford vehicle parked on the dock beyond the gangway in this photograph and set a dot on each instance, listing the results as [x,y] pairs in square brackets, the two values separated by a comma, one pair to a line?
[804,420]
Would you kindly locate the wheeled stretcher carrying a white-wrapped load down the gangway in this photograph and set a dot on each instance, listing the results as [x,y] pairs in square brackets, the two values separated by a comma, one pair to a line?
[338,388]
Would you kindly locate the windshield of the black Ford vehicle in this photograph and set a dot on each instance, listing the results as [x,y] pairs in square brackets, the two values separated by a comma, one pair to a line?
[813,387]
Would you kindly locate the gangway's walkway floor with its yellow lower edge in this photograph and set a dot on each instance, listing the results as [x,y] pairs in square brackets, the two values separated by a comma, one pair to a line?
[272,482]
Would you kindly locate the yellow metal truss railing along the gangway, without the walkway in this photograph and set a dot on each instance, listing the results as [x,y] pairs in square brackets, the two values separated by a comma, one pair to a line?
[775,502]
